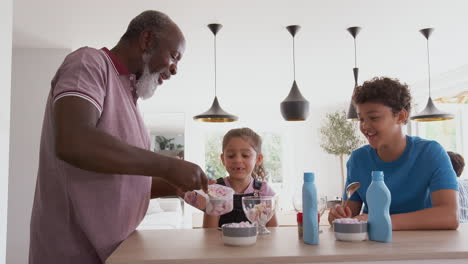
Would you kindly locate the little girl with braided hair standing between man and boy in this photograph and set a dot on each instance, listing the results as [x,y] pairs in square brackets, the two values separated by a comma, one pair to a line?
[242,157]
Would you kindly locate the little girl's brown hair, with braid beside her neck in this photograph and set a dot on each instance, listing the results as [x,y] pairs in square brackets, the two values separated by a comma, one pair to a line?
[254,140]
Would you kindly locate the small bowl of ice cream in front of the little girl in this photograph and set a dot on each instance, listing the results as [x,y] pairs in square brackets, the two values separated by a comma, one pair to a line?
[239,234]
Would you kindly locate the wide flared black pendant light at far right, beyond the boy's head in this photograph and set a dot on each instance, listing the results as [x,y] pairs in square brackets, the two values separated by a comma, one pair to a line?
[430,113]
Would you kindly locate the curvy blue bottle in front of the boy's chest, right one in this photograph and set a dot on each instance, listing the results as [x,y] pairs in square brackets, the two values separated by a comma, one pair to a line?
[378,202]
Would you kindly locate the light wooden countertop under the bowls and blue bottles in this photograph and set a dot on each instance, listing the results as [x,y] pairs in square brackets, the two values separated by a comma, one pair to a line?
[283,246]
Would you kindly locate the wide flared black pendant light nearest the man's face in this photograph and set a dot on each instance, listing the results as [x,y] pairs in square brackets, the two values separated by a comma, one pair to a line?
[215,114]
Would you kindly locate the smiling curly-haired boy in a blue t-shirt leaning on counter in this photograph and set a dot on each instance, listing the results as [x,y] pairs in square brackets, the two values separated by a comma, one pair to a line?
[417,172]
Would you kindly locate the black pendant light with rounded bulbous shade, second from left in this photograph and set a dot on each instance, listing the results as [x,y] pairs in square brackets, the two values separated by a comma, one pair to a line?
[295,107]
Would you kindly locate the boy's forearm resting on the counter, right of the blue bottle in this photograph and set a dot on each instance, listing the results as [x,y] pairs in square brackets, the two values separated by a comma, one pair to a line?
[441,217]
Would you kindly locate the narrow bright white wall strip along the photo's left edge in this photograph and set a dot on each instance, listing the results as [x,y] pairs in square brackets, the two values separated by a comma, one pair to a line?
[6,18]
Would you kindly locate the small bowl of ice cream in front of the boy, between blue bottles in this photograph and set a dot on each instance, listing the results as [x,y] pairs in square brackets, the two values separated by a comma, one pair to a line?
[350,229]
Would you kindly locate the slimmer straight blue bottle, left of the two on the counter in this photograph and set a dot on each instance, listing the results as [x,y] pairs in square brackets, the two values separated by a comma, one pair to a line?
[309,208]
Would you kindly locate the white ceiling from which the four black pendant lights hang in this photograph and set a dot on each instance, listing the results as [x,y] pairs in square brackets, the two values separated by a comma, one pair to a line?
[254,48]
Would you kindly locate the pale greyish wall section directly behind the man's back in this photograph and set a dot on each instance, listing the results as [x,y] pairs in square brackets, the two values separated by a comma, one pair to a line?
[32,71]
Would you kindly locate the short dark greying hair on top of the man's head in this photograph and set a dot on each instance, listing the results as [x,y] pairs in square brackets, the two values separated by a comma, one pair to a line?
[154,20]
